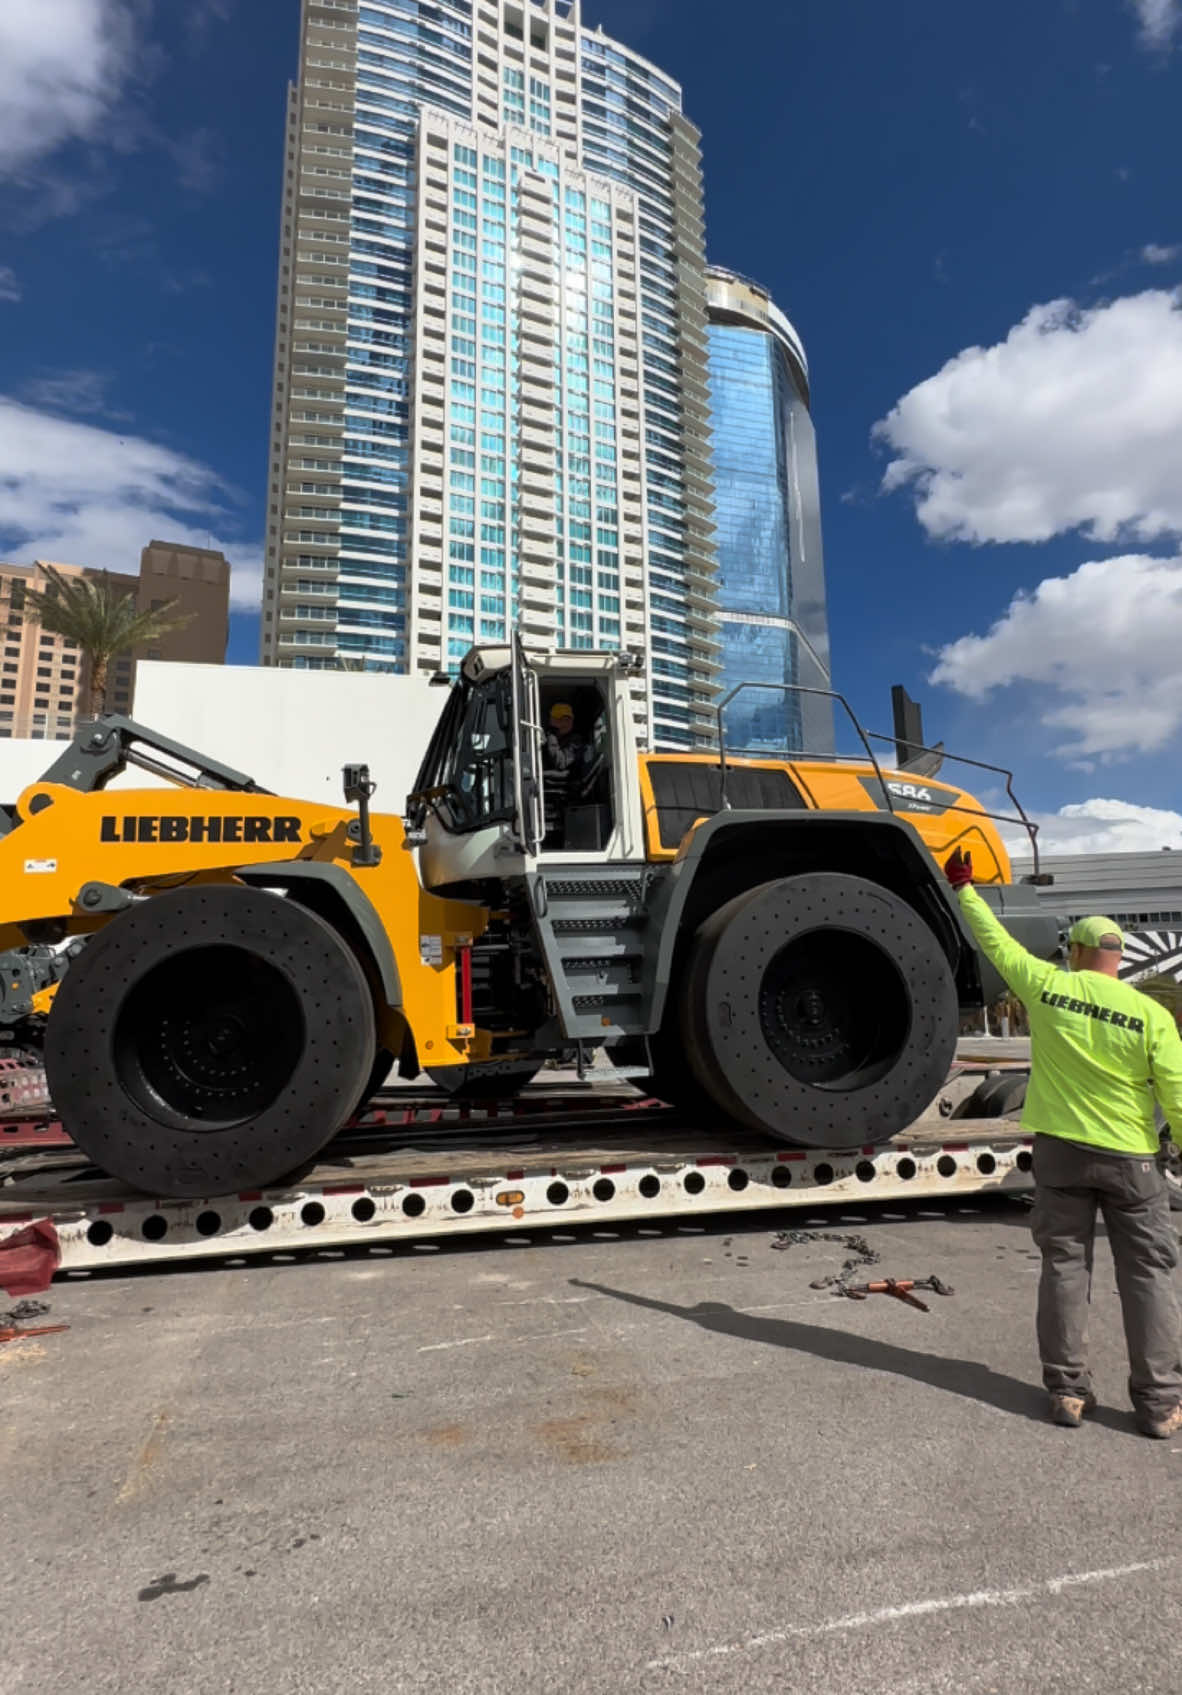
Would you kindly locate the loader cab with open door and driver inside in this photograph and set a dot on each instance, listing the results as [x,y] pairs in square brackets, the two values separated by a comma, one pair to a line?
[533,762]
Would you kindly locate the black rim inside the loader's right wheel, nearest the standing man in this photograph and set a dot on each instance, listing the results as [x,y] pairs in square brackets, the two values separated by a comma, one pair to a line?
[835,1009]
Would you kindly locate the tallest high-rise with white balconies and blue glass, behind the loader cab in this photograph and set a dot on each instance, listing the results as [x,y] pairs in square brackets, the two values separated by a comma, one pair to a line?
[491,374]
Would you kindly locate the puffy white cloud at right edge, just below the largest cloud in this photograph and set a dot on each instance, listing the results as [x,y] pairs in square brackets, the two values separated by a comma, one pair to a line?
[1105,642]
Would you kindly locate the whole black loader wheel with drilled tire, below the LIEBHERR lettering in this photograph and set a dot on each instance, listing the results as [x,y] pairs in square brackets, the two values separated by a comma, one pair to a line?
[209,1040]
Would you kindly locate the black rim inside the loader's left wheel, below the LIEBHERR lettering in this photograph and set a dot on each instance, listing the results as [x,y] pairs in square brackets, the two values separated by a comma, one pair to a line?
[209,1038]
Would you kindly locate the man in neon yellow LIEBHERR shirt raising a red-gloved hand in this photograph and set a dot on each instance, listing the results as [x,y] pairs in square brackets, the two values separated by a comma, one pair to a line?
[1101,1055]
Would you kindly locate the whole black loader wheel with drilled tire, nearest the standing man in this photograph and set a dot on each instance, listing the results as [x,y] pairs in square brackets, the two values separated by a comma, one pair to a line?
[820,1009]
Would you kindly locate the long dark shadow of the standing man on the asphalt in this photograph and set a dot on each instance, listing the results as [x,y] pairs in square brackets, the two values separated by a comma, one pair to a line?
[961,1377]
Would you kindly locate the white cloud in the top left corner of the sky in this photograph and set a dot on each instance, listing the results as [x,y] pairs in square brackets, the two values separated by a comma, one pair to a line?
[64,70]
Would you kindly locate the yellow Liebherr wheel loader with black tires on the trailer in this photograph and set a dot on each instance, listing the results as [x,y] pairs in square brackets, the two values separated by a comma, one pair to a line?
[766,940]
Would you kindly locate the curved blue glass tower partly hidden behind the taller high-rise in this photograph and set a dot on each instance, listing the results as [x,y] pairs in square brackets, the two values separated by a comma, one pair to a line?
[769,526]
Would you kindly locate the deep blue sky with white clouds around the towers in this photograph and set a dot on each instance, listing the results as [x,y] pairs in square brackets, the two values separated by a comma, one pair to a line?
[969,213]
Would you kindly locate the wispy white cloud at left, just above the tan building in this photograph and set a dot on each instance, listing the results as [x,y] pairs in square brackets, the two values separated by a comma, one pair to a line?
[87,496]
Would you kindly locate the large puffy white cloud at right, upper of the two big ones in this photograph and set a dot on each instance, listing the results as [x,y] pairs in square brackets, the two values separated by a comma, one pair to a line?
[1073,423]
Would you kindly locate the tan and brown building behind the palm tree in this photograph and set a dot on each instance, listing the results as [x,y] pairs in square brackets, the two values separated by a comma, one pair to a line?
[43,677]
